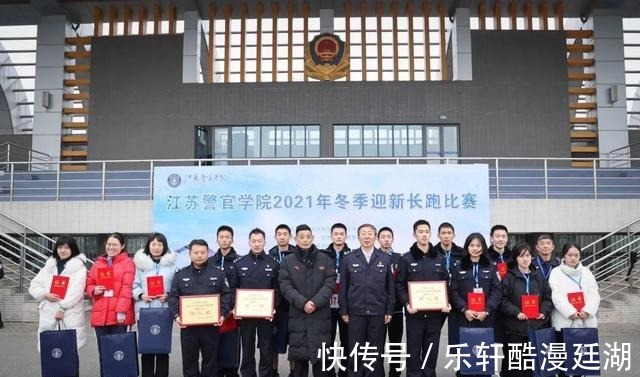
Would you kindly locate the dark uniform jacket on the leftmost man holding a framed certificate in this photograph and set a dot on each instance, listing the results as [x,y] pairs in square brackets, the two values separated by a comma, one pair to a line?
[205,281]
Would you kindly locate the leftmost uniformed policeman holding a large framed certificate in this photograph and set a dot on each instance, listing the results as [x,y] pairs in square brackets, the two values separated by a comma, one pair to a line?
[199,278]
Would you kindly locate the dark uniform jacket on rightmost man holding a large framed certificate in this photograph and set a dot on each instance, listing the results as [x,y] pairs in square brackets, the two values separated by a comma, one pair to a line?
[418,266]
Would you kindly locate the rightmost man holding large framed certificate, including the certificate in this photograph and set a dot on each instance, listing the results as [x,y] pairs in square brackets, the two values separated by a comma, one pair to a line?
[421,288]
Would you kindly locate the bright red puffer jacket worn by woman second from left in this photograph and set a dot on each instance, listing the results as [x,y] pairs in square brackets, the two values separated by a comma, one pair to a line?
[105,309]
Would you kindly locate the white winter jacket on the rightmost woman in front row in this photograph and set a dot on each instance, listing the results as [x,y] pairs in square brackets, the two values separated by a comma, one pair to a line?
[563,280]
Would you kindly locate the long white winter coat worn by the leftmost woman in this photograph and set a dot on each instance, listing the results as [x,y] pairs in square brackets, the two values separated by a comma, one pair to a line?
[73,303]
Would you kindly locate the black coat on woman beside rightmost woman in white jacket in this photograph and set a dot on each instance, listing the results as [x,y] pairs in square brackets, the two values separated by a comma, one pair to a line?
[513,287]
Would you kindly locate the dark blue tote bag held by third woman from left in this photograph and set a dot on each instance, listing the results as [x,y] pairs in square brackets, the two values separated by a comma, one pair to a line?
[154,330]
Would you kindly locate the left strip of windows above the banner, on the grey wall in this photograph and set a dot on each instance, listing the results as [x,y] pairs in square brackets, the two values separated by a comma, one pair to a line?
[268,141]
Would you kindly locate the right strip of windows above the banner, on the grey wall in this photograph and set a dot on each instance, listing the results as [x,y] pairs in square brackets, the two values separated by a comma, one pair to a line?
[395,140]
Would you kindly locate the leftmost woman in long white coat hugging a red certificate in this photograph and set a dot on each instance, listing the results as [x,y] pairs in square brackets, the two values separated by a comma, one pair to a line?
[59,286]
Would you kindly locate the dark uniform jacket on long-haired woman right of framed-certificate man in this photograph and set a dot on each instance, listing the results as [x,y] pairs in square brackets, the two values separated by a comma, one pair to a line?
[463,282]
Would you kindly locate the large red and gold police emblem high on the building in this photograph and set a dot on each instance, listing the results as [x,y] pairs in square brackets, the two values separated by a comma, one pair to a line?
[326,58]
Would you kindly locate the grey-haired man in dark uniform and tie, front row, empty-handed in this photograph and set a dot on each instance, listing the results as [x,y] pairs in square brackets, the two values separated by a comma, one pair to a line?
[366,299]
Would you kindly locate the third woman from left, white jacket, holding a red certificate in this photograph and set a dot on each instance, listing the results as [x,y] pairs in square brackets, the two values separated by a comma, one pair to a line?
[155,267]
